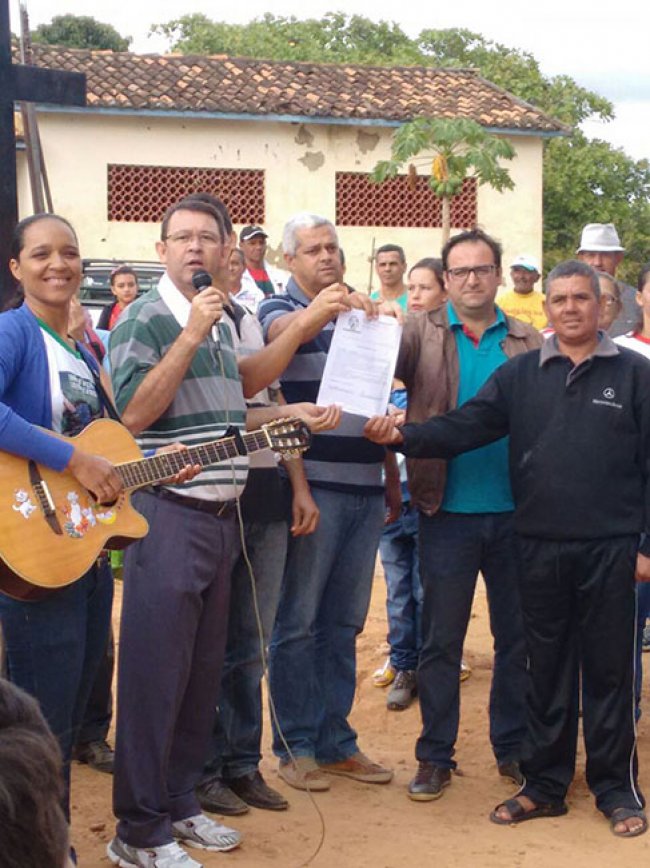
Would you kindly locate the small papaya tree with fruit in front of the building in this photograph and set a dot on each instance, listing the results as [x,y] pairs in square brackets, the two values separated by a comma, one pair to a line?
[457,148]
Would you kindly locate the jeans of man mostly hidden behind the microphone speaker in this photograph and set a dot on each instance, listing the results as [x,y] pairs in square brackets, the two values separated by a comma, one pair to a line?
[237,733]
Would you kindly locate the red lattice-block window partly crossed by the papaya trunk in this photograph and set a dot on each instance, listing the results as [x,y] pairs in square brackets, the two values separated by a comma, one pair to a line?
[395,202]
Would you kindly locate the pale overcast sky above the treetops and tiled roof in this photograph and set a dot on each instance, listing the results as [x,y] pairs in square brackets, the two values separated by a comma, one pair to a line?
[605,49]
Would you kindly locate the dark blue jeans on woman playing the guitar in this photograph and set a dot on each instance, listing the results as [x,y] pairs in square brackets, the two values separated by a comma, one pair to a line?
[54,648]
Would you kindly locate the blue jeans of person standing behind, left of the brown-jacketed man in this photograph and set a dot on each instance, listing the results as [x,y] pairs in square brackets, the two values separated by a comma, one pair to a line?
[398,548]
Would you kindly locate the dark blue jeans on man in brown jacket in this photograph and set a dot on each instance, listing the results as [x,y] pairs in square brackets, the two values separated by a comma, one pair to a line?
[453,548]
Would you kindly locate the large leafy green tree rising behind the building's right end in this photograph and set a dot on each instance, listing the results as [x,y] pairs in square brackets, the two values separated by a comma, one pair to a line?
[585,180]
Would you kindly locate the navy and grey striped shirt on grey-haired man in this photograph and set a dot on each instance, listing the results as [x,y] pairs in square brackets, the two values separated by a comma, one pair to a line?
[340,460]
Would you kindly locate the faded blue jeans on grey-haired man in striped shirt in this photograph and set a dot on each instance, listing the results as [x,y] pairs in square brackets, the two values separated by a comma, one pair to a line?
[323,607]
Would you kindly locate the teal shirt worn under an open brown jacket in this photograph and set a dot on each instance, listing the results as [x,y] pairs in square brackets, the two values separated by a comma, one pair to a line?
[478,481]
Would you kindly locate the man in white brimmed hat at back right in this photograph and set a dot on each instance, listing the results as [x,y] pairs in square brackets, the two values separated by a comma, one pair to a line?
[601,248]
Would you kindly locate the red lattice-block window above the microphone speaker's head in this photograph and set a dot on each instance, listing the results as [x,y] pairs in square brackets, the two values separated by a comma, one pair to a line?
[142,194]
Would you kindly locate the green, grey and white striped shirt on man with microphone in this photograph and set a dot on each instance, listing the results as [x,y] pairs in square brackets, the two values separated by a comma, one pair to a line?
[207,402]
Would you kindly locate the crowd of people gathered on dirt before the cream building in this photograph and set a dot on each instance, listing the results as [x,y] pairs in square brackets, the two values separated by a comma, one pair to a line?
[524,419]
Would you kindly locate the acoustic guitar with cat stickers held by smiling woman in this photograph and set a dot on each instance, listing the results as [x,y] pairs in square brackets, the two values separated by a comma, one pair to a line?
[52,529]
